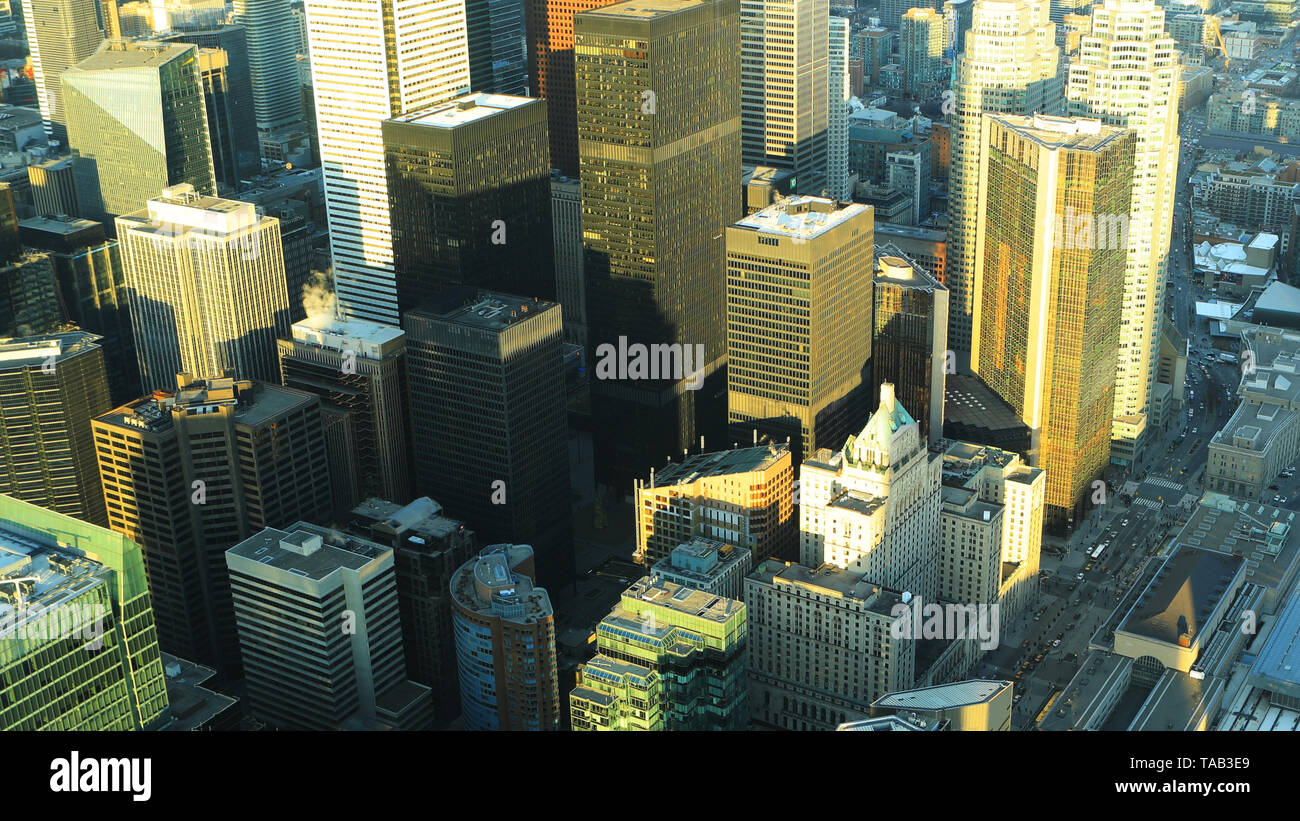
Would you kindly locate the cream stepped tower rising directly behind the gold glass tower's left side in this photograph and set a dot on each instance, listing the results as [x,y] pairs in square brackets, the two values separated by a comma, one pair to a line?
[1011,67]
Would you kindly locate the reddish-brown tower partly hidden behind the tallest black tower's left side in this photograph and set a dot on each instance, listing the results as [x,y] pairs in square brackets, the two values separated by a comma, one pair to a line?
[551,72]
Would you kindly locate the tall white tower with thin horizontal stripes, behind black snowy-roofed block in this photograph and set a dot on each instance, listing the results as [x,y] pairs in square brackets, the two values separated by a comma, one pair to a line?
[358,82]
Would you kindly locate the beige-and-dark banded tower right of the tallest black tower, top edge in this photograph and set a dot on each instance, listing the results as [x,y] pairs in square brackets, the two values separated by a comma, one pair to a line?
[785,88]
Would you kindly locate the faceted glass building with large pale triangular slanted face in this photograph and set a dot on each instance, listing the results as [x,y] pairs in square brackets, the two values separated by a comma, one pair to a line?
[138,124]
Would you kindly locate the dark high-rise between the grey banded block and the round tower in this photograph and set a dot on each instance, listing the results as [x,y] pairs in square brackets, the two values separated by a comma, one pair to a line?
[428,549]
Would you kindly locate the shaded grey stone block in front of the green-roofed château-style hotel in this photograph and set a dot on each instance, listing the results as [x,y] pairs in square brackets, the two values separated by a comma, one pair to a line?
[805,680]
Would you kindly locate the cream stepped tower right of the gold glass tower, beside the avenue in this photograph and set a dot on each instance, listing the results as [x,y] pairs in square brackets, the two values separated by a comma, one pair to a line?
[1128,75]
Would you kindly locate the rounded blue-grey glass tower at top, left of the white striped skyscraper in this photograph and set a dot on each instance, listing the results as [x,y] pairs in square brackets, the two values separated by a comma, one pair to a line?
[270,32]
